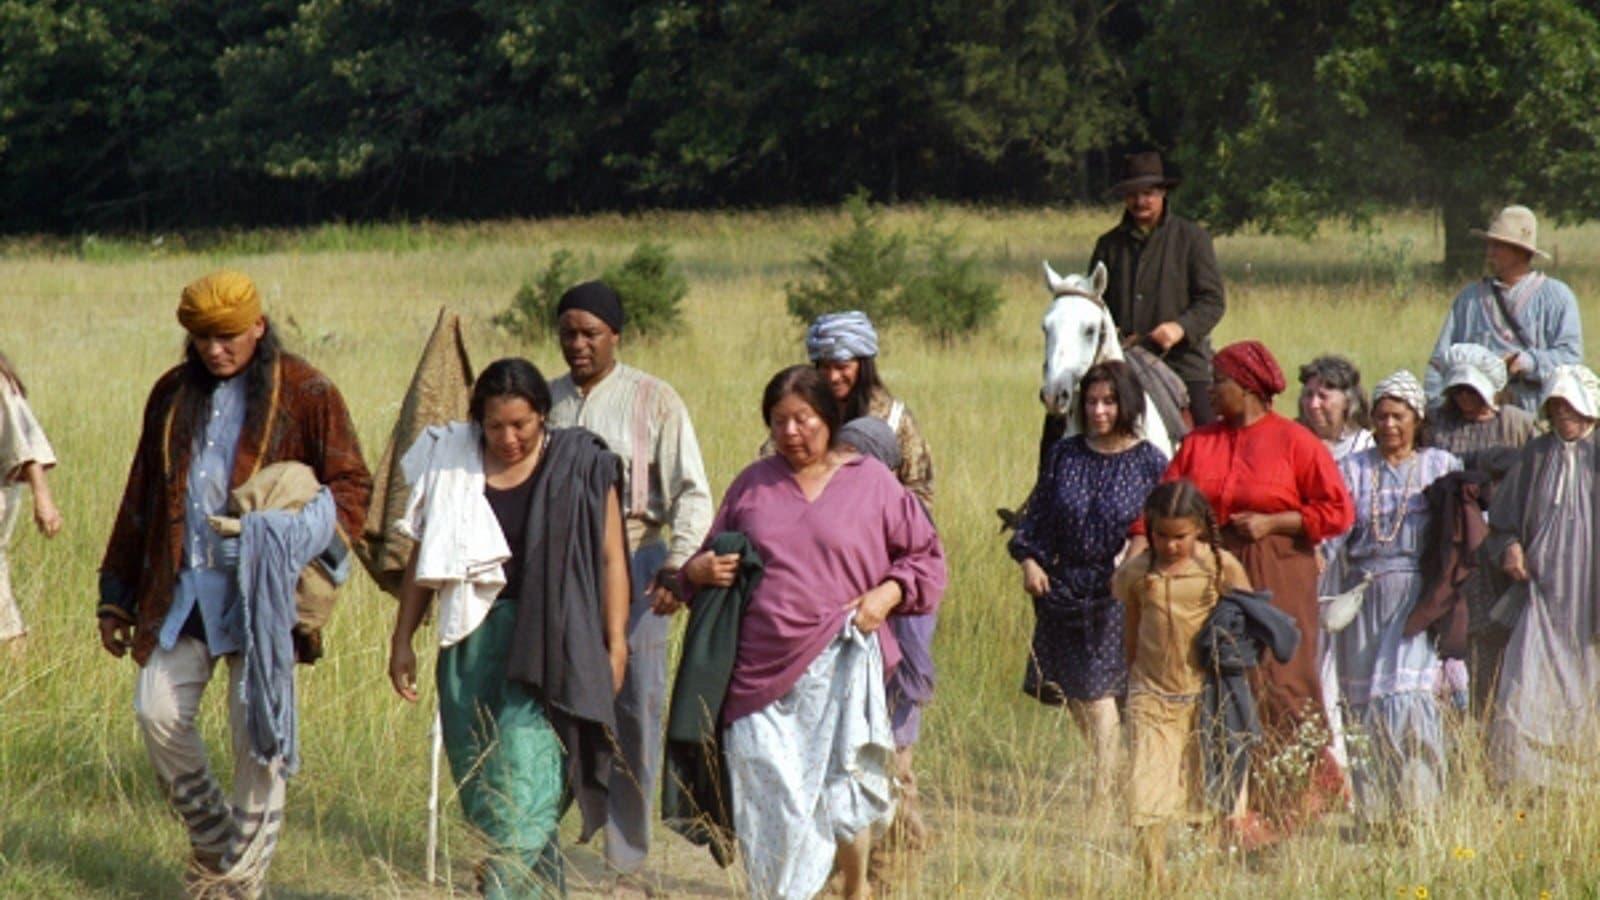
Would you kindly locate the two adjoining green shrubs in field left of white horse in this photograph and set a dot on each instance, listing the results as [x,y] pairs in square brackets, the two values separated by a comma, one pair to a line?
[930,286]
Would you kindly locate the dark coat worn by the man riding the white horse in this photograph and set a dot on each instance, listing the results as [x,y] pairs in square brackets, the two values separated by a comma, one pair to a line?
[1169,276]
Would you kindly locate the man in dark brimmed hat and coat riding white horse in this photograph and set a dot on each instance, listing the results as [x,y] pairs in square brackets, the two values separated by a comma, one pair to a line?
[1166,291]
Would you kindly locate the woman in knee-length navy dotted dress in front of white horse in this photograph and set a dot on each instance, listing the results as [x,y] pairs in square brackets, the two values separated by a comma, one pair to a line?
[1090,491]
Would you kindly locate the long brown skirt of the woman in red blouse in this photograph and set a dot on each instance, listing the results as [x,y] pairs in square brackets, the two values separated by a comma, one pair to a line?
[1294,776]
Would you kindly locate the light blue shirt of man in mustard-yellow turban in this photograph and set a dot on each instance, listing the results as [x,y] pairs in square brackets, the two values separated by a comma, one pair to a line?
[202,581]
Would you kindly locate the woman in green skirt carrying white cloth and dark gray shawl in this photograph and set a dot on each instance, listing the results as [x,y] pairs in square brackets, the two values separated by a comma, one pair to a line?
[519,534]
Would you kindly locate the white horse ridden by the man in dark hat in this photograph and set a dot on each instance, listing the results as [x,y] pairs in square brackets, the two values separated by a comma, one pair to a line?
[1081,334]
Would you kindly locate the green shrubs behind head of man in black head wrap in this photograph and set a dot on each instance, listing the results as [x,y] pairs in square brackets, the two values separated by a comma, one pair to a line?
[650,284]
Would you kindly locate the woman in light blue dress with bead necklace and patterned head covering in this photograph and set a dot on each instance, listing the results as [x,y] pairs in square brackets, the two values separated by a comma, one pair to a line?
[1386,678]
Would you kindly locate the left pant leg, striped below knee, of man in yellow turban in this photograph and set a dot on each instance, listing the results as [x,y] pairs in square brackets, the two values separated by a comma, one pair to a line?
[166,702]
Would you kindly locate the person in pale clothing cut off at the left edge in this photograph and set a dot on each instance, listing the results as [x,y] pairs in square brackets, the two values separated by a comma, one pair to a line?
[25,457]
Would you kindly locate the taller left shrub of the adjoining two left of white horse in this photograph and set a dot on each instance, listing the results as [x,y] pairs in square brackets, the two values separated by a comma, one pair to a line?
[862,270]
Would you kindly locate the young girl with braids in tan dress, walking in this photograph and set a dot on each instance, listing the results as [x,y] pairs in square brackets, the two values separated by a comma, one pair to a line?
[1169,592]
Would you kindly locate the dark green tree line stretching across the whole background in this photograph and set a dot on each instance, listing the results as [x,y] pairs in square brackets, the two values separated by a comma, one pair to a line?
[1279,113]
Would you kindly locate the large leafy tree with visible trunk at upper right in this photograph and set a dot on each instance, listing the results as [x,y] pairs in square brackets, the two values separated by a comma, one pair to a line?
[1295,111]
